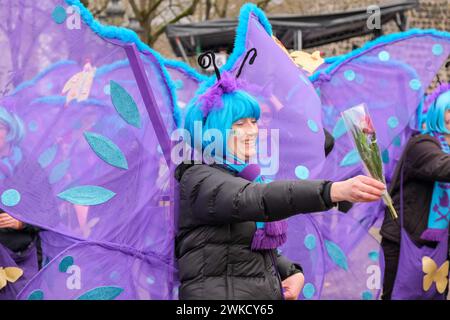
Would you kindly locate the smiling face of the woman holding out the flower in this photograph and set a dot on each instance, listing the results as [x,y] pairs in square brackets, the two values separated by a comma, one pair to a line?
[242,140]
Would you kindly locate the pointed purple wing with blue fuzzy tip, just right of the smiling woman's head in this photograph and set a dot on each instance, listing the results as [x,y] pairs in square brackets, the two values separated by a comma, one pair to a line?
[289,105]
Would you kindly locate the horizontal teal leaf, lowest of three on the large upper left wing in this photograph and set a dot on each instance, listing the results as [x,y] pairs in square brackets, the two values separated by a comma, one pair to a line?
[87,195]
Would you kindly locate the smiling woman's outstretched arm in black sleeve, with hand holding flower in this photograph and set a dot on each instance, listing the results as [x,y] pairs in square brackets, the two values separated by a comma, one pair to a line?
[216,197]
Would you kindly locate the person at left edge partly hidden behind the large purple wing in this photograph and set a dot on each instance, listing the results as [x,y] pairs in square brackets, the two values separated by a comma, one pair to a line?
[18,240]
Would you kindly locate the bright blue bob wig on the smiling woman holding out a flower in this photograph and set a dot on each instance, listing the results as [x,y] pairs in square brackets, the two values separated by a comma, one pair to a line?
[235,106]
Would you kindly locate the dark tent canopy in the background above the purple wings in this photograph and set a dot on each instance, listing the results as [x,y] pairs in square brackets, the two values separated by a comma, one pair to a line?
[294,31]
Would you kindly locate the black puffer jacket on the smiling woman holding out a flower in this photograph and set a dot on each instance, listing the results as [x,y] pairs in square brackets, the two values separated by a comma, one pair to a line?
[216,223]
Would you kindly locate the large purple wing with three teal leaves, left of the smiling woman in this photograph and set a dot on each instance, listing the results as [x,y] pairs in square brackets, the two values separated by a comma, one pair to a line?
[89,166]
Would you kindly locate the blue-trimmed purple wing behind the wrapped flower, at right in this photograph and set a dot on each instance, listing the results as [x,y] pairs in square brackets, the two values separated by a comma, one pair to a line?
[390,75]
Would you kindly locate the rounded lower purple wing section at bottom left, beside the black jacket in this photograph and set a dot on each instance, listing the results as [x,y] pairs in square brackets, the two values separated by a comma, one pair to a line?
[97,271]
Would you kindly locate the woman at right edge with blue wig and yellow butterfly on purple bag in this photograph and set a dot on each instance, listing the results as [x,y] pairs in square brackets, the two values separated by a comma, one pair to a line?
[417,246]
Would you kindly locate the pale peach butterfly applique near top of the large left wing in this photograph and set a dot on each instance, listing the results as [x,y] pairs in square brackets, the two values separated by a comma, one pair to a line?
[79,85]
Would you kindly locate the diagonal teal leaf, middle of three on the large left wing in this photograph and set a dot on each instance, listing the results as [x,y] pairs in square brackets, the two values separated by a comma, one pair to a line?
[106,150]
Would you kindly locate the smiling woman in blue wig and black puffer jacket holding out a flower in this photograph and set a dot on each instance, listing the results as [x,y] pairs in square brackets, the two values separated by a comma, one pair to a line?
[231,220]
